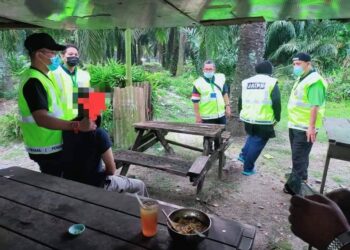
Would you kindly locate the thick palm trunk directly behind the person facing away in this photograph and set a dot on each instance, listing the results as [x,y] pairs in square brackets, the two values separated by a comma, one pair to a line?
[251,49]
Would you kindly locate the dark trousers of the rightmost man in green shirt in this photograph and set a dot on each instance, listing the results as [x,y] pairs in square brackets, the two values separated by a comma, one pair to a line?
[300,152]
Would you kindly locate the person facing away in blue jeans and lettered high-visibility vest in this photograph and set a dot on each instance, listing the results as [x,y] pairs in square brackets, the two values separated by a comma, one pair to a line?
[260,109]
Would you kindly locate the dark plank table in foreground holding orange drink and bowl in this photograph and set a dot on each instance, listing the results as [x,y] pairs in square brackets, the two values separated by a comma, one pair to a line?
[36,211]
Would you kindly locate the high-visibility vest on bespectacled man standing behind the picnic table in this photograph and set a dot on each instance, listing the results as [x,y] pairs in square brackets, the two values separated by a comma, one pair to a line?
[211,104]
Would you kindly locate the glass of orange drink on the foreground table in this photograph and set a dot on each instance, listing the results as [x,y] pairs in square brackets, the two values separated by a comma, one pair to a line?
[149,218]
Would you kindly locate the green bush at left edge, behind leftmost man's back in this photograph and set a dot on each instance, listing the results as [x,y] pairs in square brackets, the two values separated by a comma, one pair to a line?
[9,128]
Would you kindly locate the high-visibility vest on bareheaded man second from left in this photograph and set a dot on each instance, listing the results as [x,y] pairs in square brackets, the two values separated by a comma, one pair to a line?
[68,86]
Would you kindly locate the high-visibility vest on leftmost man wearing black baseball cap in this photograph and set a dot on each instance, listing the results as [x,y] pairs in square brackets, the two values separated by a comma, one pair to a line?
[39,140]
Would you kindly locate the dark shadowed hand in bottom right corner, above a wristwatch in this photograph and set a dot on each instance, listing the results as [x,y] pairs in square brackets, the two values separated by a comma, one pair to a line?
[317,220]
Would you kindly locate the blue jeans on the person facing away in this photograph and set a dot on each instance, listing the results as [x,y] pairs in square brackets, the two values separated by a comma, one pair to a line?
[251,151]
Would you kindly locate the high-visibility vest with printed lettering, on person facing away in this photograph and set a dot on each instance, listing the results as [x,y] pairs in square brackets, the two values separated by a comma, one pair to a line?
[256,100]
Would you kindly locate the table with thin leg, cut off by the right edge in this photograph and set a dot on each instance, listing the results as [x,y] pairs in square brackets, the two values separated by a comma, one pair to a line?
[338,131]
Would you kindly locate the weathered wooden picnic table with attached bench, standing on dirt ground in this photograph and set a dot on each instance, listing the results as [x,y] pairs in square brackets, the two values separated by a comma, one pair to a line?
[151,132]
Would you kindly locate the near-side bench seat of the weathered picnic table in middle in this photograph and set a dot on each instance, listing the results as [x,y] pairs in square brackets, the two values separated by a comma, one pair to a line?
[195,171]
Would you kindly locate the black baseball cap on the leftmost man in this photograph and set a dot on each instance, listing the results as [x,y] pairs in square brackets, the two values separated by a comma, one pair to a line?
[38,41]
